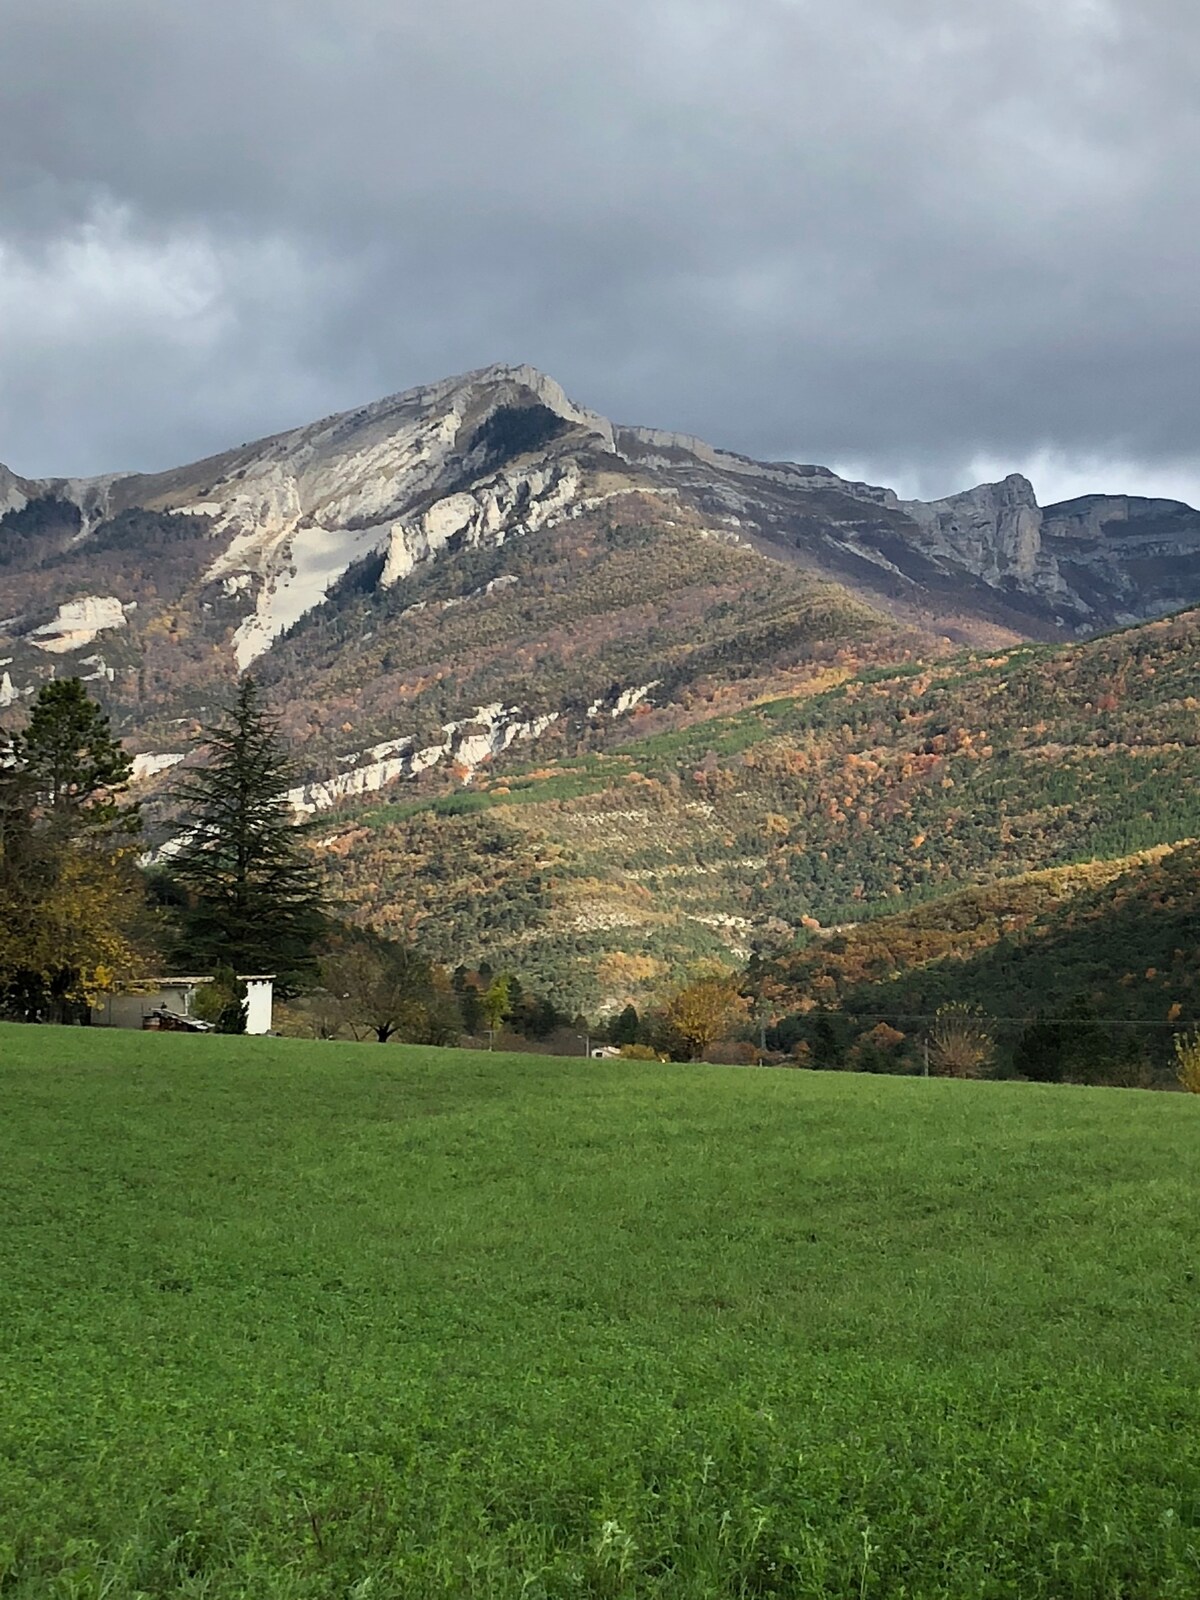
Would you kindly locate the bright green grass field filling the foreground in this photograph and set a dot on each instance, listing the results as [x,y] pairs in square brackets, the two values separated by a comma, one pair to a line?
[326,1321]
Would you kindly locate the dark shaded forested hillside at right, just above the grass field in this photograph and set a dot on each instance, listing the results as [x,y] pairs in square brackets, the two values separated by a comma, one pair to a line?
[1110,946]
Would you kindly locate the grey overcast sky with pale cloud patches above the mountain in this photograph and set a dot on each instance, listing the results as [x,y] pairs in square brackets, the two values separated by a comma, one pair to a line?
[924,241]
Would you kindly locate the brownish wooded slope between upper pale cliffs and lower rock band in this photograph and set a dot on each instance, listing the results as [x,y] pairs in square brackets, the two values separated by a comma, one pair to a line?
[564,623]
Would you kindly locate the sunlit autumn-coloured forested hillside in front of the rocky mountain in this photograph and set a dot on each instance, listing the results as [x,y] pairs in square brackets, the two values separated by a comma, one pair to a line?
[830,806]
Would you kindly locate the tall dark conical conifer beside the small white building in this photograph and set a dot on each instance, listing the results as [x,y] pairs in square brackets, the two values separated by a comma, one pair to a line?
[254,898]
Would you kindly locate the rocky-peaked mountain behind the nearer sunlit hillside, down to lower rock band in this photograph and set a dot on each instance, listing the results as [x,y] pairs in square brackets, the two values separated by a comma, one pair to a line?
[434,578]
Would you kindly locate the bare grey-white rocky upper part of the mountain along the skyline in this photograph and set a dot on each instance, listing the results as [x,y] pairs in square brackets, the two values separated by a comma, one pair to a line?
[481,460]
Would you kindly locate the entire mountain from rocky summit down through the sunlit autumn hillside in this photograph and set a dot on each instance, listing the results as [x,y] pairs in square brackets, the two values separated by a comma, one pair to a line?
[602,702]
